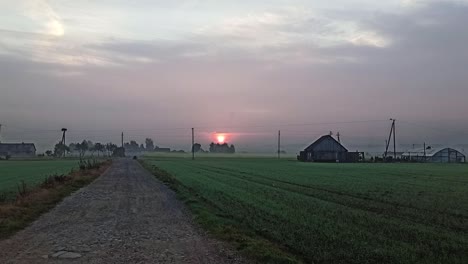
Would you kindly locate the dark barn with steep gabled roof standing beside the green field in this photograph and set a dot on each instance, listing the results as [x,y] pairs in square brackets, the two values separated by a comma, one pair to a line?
[328,149]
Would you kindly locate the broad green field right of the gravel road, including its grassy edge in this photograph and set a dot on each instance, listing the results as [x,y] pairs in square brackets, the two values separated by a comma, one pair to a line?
[329,213]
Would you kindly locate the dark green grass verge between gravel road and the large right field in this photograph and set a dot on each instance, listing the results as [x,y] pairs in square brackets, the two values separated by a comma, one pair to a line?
[248,242]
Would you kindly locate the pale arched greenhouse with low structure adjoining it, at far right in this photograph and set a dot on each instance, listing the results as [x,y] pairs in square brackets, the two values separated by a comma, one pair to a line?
[446,155]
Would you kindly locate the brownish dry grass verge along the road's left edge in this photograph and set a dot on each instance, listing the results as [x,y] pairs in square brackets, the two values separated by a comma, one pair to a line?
[31,203]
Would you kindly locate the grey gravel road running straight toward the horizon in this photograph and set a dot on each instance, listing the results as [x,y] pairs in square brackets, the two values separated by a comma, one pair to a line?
[125,216]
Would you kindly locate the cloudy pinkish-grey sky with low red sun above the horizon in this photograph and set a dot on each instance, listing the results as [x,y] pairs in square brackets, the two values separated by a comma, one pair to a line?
[158,68]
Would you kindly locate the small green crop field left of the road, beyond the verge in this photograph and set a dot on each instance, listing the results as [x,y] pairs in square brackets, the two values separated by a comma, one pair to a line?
[32,172]
